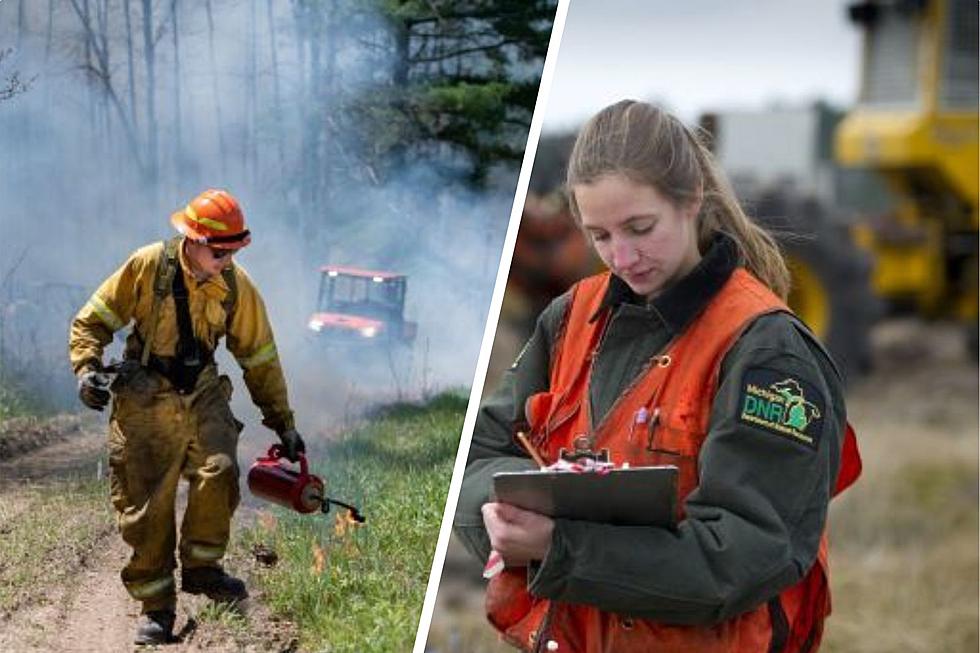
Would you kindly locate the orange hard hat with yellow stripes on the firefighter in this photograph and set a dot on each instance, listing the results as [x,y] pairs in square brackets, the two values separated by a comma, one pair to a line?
[213,218]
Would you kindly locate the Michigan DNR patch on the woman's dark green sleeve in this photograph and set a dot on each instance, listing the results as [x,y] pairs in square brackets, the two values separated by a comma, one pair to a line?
[783,404]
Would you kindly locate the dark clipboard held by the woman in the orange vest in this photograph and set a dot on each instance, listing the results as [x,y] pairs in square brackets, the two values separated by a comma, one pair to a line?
[634,496]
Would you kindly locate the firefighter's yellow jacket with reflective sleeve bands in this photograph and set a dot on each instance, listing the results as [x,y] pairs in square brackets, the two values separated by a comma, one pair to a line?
[127,296]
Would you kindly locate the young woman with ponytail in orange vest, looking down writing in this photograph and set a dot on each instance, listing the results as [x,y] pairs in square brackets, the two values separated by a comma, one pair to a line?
[685,354]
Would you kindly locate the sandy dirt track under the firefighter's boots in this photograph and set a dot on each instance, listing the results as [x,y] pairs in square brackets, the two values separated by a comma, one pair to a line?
[76,602]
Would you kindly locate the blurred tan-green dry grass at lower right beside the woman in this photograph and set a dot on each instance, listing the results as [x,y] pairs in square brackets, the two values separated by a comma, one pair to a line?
[903,551]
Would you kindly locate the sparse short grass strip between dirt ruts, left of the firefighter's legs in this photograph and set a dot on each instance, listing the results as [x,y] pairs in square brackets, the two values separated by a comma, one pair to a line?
[50,527]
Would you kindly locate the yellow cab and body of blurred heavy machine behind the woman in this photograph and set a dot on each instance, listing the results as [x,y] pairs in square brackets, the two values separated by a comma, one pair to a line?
[916,124]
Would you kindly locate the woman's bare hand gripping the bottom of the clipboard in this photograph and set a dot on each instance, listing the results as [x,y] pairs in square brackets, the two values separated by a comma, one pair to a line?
[520,536]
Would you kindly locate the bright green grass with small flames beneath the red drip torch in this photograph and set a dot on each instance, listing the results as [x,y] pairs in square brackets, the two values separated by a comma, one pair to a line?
[368,593]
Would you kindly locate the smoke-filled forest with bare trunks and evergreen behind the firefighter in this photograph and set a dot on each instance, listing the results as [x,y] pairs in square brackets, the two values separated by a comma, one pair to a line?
[383,134]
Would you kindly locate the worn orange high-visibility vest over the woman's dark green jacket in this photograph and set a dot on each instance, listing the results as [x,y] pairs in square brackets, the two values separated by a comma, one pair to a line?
[676,390]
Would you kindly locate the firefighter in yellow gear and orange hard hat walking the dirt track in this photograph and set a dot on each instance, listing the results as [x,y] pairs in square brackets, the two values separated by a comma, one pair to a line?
[170,414]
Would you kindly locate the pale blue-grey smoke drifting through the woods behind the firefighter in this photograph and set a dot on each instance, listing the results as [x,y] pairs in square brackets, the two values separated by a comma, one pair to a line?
[80,187]
